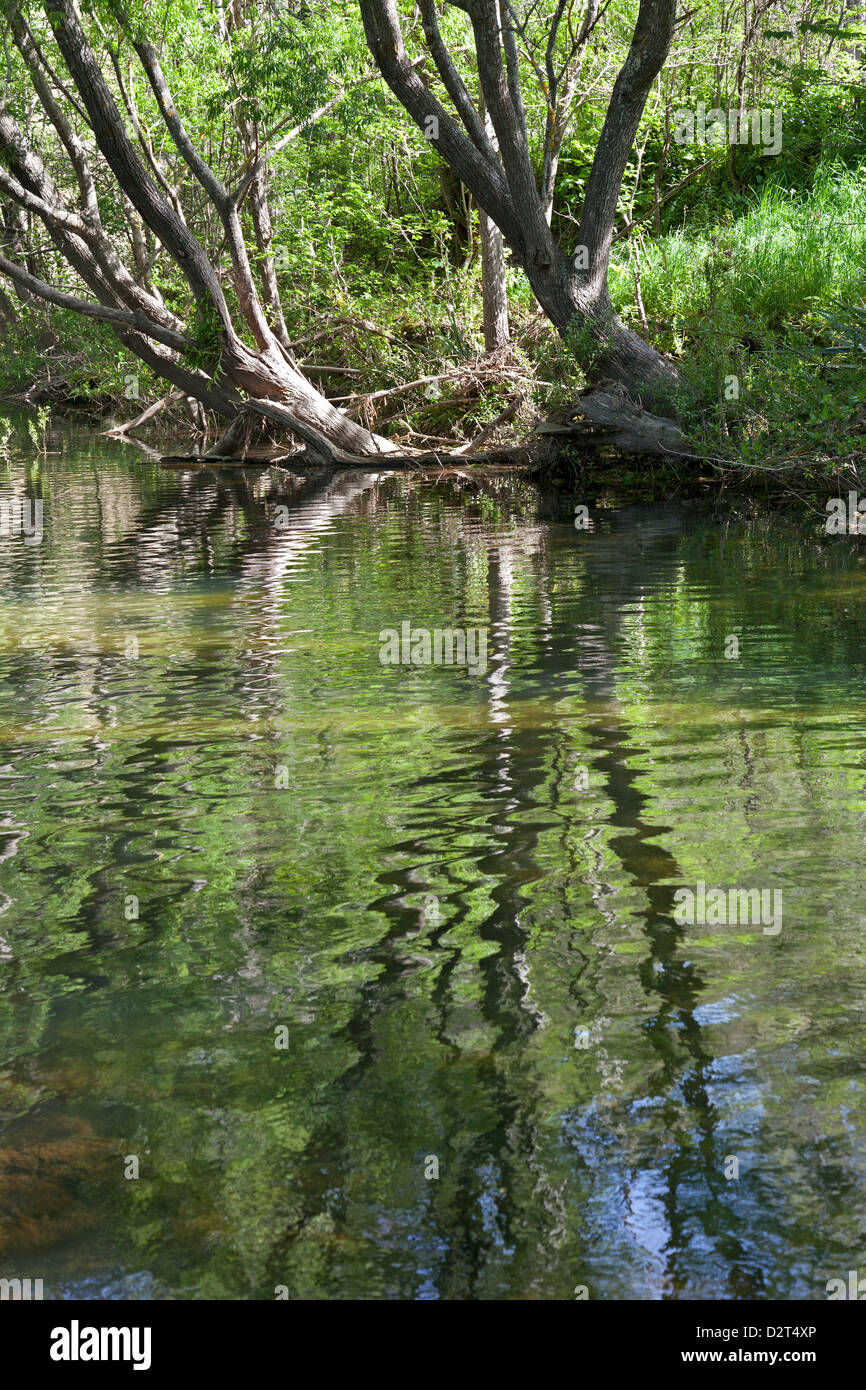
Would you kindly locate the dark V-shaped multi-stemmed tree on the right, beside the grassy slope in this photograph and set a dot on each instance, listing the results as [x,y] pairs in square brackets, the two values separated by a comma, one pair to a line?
[572,291]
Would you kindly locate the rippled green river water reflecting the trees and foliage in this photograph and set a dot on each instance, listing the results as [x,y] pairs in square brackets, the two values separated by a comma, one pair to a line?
[226,825]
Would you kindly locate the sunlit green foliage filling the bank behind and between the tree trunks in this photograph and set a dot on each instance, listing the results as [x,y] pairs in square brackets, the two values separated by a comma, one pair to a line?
[744,262]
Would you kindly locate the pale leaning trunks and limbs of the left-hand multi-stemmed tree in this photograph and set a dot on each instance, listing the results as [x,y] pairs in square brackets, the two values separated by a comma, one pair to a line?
[138,316]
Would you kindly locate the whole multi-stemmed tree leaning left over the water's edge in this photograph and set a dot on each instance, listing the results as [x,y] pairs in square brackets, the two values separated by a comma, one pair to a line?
[202,352]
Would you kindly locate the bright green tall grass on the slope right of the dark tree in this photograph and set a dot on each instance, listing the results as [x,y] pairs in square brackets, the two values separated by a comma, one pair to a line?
[760,301]
